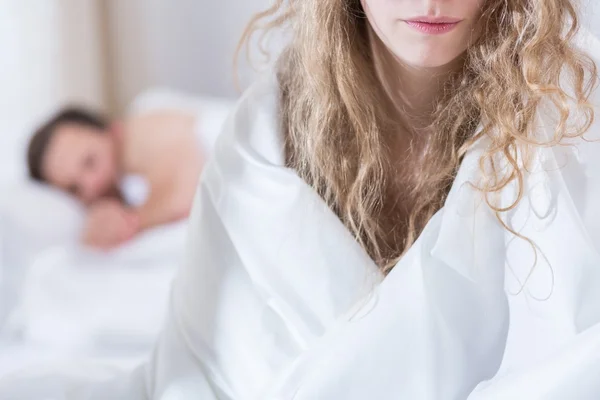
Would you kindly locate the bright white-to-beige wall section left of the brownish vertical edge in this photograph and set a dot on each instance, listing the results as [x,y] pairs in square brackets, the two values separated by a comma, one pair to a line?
[49,56]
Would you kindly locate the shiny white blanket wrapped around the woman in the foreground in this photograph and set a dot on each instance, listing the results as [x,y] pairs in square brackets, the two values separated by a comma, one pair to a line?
[277,301]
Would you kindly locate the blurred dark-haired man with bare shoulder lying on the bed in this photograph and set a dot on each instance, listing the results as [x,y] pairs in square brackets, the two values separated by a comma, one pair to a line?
[84,154]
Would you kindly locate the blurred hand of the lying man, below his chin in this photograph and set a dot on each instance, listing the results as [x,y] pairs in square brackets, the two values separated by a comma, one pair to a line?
[109,224]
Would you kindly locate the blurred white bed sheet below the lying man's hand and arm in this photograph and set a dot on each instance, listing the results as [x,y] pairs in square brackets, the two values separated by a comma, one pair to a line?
[76,303]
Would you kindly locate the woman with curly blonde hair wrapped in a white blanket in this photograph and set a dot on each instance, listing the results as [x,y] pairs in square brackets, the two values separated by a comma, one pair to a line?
[395,215]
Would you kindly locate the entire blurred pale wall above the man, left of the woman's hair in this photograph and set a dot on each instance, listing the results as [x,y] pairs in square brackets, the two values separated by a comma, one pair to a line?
[103,53]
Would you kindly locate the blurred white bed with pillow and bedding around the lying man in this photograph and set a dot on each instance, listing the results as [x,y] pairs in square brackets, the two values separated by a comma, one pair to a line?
[61,301]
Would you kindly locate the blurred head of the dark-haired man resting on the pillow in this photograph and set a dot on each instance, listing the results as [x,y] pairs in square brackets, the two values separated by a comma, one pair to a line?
[75,151]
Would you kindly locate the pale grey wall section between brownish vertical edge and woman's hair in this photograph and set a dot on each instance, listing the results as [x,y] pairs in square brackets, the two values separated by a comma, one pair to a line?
[186,44]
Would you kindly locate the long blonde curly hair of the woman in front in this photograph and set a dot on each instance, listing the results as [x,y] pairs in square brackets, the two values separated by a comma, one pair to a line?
[337,133]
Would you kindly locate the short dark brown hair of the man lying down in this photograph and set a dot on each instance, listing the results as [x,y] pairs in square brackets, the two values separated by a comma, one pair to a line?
[39,142]
